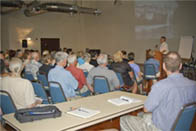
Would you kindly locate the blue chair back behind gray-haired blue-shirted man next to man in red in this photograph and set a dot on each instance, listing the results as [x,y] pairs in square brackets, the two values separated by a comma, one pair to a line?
[56,92]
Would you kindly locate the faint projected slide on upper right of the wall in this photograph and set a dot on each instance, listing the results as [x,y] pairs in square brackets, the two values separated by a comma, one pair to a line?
[154,19]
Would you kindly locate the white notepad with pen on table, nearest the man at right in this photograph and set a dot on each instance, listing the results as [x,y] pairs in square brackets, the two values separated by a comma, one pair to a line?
[123,100]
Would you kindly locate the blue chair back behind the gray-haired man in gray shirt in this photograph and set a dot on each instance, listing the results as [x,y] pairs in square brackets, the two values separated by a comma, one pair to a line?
[100,84]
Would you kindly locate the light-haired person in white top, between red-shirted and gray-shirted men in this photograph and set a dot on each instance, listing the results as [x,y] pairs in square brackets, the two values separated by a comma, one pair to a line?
[86,67]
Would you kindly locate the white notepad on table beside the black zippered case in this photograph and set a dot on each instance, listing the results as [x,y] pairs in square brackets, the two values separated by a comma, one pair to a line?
[83,112]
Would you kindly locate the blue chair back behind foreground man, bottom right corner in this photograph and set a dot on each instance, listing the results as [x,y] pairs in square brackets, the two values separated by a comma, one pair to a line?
[185,118]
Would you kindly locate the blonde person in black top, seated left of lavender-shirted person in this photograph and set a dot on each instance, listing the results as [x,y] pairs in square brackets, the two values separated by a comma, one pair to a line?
[125,70]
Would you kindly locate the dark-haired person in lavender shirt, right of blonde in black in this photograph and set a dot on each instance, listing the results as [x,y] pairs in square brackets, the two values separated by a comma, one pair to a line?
[134,66]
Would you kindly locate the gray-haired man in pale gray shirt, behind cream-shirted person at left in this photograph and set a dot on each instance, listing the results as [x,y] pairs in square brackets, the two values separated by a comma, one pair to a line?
[34,65]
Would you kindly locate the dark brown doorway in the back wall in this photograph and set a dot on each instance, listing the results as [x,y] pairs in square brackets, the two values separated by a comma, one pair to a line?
[50,44]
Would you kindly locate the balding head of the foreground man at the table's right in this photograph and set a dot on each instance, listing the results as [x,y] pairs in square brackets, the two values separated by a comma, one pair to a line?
[173,62]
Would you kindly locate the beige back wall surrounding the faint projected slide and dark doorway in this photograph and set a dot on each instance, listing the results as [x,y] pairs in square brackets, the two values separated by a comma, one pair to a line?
[113,30]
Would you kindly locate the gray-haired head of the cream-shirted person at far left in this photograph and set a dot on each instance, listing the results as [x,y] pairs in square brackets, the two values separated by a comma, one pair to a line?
[16,66]
